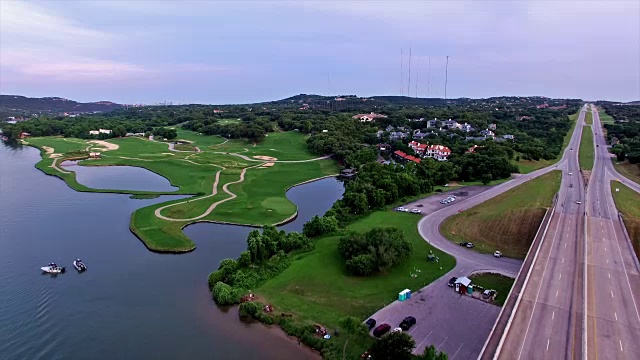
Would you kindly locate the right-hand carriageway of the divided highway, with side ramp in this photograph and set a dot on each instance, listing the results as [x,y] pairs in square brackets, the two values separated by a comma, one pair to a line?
[613,272]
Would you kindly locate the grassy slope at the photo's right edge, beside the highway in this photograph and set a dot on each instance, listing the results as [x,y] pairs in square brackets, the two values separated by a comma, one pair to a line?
[627,202]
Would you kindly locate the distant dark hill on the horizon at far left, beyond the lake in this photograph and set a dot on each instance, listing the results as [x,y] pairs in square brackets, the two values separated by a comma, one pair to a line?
[24,105]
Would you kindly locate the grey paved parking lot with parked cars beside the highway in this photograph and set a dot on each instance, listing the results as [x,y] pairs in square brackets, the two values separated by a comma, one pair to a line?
[453,323]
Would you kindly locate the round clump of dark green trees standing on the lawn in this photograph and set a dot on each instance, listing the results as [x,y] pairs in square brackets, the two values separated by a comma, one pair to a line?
[374,251]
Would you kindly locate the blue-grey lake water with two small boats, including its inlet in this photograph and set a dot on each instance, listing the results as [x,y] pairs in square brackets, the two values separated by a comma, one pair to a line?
[131,303]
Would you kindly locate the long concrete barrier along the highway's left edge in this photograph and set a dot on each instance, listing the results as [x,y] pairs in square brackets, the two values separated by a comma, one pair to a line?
[498,333]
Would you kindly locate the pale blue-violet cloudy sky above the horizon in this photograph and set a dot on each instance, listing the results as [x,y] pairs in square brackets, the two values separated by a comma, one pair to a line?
[217,52]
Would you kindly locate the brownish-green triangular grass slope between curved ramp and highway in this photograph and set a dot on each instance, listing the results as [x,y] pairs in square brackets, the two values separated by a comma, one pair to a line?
[507,222]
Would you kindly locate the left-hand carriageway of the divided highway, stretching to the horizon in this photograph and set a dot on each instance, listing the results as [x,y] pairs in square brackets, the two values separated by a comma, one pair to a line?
[549,319]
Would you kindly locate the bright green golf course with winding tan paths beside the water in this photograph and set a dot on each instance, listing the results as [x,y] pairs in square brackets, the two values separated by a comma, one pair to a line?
[260,198]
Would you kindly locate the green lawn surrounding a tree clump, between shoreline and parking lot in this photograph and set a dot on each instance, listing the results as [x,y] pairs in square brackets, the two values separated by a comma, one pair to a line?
[316,288]
